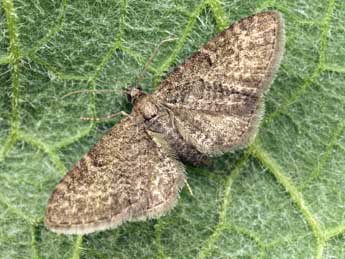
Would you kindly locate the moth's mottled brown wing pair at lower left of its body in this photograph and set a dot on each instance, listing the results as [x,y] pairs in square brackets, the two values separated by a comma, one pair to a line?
[130,174]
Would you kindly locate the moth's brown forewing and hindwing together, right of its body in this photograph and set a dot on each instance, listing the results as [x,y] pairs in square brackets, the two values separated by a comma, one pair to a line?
[217,94]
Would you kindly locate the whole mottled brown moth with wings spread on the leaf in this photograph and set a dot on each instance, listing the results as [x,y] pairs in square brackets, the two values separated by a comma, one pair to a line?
[210,104]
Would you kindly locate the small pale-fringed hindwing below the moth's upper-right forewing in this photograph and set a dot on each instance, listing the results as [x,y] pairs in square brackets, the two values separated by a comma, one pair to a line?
[210,133]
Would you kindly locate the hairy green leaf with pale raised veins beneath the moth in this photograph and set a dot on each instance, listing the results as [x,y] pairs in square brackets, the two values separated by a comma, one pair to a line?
[283,197]
